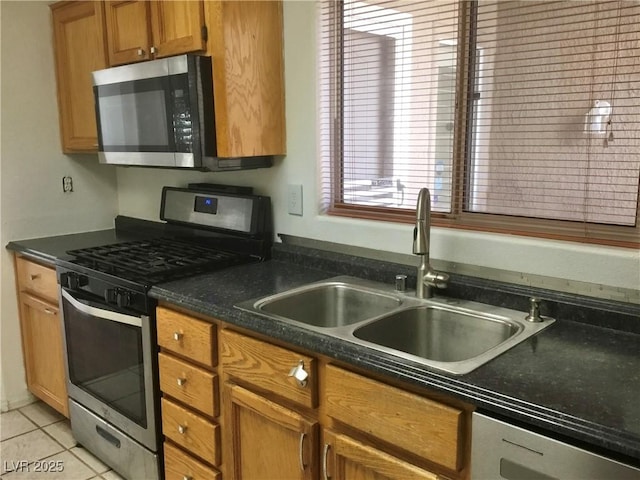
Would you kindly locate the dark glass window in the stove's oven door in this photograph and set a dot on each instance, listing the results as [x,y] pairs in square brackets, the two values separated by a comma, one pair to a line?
[106,360]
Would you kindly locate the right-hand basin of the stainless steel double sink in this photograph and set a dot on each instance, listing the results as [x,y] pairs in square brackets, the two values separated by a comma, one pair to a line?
[439,334]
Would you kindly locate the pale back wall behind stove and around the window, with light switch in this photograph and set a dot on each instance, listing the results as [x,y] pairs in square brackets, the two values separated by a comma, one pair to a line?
[139,193]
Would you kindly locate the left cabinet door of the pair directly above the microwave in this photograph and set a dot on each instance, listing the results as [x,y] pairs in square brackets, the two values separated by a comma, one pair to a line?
[128,31]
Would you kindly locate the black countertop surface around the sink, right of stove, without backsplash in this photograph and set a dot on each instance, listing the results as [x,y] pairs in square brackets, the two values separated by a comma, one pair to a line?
[578,381]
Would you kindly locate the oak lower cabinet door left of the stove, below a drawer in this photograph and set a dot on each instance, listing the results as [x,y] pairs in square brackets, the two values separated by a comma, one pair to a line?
[43,351]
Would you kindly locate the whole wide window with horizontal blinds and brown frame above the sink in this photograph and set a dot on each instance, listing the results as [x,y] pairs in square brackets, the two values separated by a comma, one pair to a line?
[519,116]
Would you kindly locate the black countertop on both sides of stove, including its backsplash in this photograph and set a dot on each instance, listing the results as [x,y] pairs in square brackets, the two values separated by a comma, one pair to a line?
[577,379]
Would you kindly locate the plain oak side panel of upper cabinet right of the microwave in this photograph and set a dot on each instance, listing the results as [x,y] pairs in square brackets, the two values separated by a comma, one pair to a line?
[246,46]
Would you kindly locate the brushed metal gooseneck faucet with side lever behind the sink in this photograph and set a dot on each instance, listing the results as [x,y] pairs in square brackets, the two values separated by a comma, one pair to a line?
[427,276]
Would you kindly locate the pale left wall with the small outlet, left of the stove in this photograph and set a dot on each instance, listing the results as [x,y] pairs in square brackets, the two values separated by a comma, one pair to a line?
[31,169]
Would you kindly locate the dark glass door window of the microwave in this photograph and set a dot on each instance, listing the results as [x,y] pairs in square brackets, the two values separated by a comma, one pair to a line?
[136,116]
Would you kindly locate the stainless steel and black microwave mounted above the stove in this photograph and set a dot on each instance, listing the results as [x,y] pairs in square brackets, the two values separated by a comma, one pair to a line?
[161,114]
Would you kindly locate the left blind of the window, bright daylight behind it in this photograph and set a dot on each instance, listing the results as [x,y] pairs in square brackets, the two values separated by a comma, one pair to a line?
[388,90]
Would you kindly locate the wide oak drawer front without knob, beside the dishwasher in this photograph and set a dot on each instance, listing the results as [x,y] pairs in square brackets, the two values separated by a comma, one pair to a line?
[416,424]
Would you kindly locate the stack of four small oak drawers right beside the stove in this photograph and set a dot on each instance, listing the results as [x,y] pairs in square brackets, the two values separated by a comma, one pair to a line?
[190,397]
